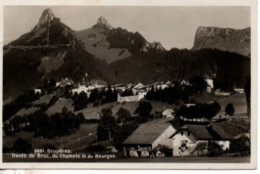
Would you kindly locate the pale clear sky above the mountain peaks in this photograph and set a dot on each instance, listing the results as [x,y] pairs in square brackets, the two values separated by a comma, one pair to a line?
[173,26]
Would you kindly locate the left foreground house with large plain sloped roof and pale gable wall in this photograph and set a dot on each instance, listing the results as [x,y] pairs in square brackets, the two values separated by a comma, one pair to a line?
[148,136]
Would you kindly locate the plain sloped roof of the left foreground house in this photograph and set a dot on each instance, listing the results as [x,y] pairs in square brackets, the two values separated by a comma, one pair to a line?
[148,132]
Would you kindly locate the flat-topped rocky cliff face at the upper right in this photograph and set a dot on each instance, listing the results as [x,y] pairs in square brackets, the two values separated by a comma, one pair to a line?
[225,39]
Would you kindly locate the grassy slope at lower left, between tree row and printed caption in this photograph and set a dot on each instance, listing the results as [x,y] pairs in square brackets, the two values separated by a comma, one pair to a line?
[75,141]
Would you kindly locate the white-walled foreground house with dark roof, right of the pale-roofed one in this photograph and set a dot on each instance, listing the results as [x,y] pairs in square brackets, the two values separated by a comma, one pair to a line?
[193,140]
